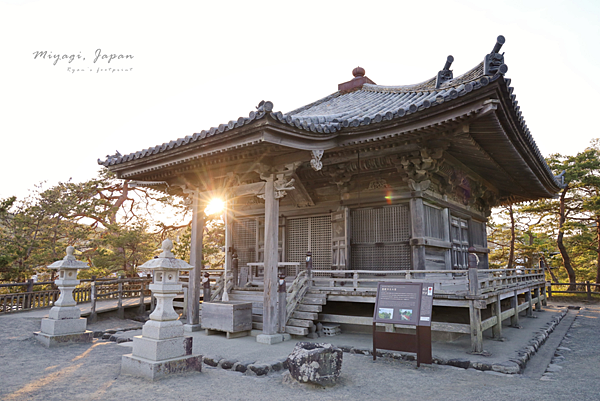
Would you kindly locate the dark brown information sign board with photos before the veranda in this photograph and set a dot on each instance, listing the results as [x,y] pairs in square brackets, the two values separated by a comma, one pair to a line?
[404,303]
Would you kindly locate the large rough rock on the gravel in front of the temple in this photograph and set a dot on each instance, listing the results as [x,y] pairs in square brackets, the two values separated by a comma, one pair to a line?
[316,363]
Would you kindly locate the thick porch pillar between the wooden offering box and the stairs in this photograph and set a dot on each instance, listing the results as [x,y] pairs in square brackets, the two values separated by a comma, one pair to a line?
[271,258]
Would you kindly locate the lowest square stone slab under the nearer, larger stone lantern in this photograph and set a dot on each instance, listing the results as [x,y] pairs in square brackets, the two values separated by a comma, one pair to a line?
[153,370]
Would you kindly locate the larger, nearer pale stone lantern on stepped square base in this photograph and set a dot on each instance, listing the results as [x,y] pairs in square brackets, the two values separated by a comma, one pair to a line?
[162,349]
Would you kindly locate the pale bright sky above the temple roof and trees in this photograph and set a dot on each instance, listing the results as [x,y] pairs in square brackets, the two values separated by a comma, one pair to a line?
[185,66]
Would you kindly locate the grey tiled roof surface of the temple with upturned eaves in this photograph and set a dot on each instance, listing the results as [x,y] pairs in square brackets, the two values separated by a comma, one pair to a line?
[370,104]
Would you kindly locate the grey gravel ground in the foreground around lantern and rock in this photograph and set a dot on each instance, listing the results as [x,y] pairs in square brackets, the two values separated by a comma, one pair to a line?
[30,371]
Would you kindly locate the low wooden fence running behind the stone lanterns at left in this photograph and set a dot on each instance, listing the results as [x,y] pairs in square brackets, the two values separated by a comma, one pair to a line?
[45,294]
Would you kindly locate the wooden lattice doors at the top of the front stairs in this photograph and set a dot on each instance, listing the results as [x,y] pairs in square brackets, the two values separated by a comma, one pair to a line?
[309,234]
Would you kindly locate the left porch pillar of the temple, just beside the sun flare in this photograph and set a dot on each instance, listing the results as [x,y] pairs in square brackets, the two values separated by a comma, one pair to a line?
[195,278]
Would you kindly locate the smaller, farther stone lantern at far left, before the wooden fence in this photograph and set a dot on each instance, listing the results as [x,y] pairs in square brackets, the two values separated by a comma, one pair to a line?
[64,323]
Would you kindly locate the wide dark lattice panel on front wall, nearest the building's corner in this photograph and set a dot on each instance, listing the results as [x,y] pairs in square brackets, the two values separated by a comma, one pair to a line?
[380,238]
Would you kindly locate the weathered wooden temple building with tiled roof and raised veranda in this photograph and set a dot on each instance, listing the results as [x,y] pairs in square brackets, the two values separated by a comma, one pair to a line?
[377,183]
